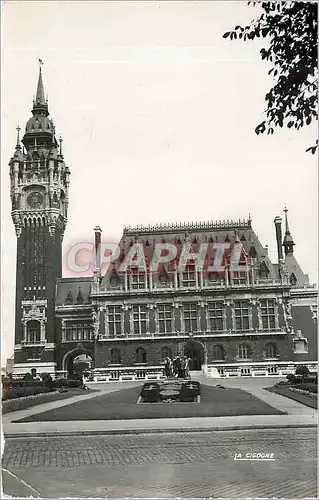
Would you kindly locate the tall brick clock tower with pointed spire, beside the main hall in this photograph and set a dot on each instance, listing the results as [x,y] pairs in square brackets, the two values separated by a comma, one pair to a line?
[39,197]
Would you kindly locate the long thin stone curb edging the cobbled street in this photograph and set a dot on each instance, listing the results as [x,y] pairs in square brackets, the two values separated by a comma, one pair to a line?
[158,431]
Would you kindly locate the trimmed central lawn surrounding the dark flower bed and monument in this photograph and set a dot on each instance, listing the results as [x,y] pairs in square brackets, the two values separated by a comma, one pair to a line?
[119,405]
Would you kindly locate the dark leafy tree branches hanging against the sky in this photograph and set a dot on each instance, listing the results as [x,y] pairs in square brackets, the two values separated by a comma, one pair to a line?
[292,31]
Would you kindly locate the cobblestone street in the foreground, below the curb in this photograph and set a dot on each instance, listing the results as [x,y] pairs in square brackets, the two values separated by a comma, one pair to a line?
[164,465]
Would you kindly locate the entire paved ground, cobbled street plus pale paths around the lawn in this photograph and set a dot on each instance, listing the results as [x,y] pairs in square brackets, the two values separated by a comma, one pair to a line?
[167,458]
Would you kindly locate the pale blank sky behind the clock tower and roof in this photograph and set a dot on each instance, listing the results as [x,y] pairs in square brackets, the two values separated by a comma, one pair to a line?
[157,112]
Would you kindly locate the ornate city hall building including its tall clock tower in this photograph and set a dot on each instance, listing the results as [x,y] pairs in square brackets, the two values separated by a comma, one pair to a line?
[258,318]
